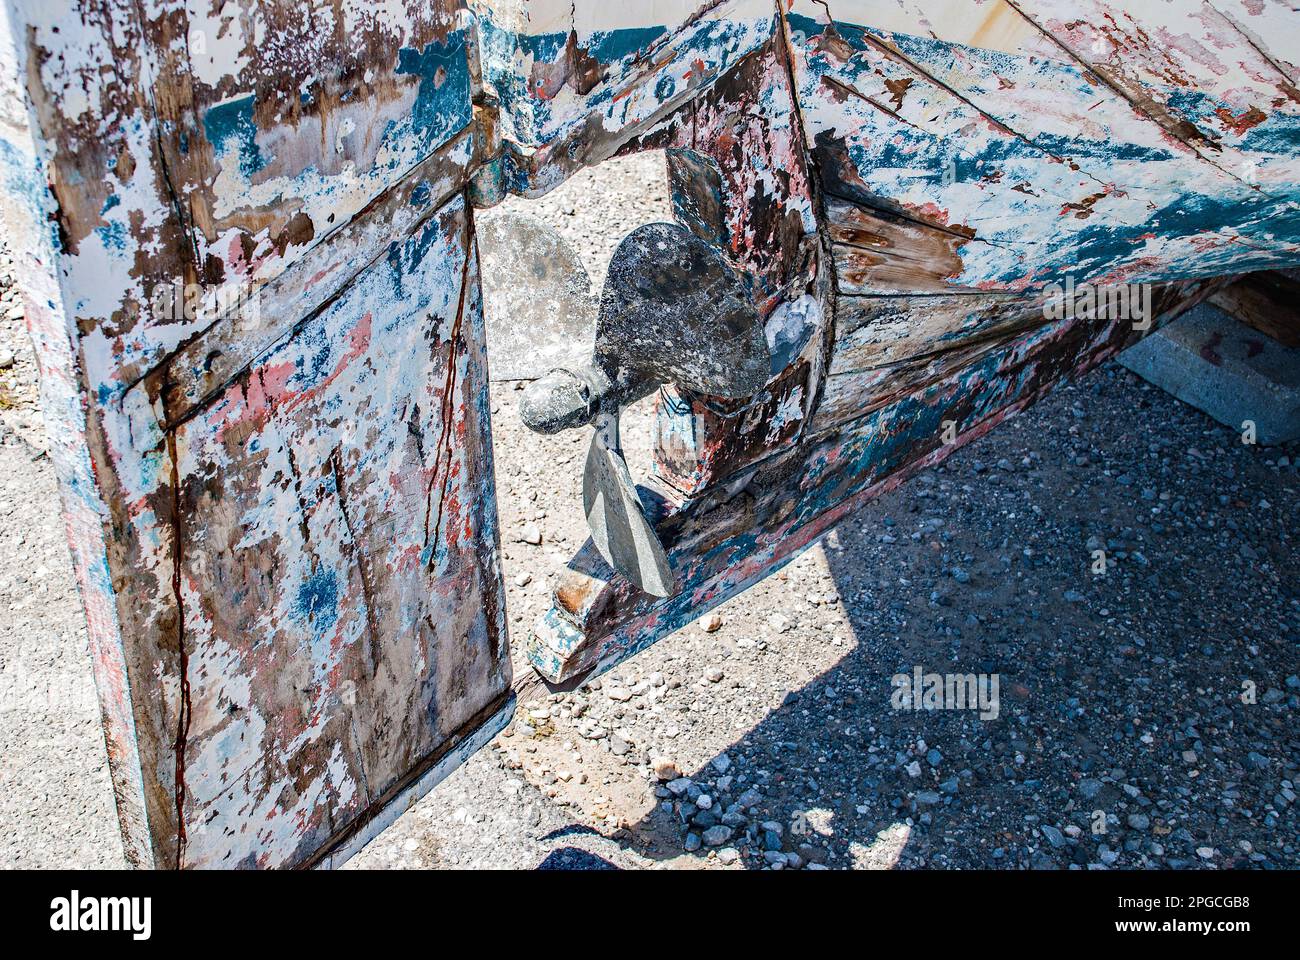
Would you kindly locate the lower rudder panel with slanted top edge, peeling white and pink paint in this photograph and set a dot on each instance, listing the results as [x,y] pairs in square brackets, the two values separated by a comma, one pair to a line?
[340,573]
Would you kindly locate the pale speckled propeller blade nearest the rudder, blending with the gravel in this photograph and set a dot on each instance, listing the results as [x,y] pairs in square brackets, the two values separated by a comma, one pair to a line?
[538,299]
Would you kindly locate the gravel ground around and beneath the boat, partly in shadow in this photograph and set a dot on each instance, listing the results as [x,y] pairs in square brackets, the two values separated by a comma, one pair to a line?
[1160,694]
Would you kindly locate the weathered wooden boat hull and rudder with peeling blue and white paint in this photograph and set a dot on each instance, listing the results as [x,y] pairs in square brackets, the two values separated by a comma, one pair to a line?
[283,522]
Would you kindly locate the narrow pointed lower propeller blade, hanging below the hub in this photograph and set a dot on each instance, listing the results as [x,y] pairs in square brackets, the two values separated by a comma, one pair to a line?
[617,517]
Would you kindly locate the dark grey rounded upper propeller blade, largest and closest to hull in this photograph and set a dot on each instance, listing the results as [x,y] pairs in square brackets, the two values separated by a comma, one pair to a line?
[678,313]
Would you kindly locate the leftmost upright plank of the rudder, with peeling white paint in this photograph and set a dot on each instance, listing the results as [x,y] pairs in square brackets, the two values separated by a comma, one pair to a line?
[81,137]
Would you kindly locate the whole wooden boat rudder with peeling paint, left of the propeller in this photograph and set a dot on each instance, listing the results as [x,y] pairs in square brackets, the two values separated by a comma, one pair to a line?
[261,148]
